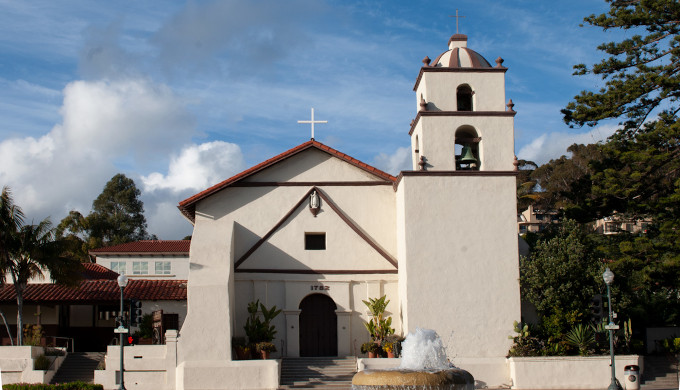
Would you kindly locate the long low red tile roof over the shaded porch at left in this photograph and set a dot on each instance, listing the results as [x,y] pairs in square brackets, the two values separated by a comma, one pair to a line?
[98,291]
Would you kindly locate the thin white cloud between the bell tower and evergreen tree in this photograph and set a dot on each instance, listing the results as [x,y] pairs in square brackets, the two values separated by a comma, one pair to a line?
[554,145]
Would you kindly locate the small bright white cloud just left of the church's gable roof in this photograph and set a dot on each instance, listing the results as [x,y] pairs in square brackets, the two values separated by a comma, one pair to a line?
[198,167]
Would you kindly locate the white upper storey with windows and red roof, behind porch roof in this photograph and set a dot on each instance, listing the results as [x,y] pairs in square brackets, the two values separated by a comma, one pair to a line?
[147,259]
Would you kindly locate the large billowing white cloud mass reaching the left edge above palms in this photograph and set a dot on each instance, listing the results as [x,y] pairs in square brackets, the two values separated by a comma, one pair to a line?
[105,125]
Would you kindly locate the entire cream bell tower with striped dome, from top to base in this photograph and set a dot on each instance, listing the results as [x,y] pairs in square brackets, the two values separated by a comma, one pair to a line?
[457,212]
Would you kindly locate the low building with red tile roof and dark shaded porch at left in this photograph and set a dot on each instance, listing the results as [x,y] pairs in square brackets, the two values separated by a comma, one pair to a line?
[86,313]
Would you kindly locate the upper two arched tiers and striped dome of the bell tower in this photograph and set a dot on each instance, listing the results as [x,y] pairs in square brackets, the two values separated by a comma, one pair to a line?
[462,121]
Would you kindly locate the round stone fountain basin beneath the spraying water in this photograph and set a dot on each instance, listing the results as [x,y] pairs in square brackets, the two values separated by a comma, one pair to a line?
[449,379]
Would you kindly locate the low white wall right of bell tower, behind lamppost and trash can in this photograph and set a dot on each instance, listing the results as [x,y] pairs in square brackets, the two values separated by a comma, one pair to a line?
[567,372]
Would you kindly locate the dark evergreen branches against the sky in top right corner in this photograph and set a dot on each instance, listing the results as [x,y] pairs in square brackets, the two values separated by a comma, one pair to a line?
[641,73]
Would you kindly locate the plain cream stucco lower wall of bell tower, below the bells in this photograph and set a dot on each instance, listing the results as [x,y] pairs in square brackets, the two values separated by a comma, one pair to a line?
[460,256]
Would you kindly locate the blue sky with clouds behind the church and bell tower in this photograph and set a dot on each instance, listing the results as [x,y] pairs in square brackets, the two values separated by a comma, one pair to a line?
[181,95]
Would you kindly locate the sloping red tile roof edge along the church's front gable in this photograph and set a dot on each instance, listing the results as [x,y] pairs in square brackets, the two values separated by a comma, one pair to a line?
[188,206]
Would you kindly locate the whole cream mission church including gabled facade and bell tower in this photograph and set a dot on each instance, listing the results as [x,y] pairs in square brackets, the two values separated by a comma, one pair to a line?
[315,231]
